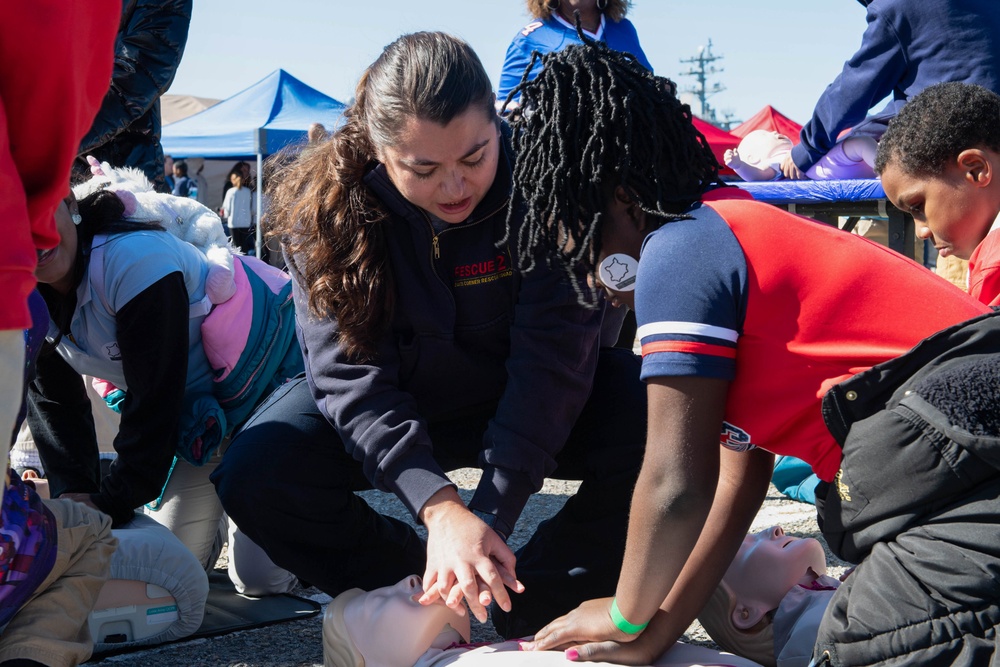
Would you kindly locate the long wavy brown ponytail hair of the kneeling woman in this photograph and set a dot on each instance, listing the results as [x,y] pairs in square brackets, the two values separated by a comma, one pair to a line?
[330,224]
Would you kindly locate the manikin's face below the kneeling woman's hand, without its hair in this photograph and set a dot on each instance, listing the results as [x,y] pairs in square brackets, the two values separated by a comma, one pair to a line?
[389,628]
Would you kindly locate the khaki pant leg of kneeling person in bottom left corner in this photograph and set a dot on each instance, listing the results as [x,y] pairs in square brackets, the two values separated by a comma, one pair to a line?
[51,627]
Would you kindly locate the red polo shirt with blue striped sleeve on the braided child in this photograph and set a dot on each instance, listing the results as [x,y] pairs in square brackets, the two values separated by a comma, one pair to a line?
[784,308]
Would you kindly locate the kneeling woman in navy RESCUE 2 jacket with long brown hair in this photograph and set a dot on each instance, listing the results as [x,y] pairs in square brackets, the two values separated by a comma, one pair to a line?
[428,349]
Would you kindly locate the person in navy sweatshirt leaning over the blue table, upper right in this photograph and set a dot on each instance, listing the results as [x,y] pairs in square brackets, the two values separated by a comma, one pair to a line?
[906,47]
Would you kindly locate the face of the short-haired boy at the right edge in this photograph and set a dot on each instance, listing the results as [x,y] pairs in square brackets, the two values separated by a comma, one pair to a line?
[954,209]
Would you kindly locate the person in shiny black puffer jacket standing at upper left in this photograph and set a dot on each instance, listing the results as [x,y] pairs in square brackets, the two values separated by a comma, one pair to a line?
[148,50]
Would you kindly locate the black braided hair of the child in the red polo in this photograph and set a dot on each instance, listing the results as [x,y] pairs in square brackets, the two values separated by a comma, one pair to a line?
[593,120]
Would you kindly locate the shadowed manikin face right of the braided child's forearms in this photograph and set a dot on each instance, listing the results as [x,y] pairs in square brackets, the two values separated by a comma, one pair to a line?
[767,566]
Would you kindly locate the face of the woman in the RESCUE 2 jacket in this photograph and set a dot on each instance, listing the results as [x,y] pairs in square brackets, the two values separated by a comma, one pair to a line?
[445,169]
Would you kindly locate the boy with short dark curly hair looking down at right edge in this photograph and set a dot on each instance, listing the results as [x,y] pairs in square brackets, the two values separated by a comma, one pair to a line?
[938,161]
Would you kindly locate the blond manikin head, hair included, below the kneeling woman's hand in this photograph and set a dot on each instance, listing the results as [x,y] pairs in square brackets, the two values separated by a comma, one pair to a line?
[386,627]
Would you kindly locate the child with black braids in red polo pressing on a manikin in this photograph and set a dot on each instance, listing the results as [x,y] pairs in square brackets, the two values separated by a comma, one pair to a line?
[747,316]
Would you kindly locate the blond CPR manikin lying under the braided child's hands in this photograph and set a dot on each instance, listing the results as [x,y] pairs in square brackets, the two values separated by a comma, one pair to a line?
[387,628]
